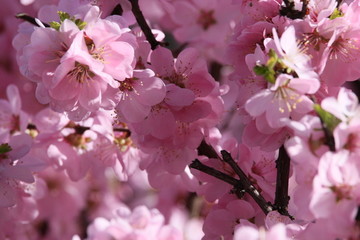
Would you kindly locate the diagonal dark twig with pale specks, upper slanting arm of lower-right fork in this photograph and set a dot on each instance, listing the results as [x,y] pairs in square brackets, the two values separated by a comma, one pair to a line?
[246,184]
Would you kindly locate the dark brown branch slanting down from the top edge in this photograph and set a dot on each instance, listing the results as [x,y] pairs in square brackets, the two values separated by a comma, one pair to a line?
[143,24]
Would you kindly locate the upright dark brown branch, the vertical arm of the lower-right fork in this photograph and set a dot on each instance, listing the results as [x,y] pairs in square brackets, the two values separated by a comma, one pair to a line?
[282,182]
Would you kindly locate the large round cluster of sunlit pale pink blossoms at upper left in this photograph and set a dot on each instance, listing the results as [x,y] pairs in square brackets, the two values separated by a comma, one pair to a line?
[84,64]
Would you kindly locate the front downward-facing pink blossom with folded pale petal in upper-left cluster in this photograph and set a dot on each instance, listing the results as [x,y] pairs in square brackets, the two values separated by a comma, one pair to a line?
[82,78]
